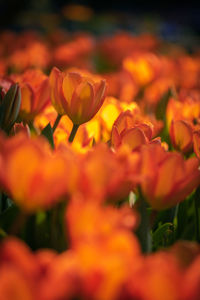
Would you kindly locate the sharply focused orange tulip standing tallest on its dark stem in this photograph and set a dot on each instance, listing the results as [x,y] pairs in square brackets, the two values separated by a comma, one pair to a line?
[75,95]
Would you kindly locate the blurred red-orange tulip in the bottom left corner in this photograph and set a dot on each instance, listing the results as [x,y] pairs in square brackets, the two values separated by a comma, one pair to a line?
[18,270]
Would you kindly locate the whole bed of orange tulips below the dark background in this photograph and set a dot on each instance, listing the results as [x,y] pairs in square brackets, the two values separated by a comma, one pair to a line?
[99,168]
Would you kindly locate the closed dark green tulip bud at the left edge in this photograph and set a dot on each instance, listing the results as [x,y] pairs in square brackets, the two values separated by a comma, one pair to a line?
[9,107]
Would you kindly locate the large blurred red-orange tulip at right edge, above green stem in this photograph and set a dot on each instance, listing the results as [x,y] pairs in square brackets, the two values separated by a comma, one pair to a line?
[167,177]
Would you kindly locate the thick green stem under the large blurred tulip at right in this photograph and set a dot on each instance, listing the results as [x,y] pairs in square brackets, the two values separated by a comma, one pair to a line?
[143,231]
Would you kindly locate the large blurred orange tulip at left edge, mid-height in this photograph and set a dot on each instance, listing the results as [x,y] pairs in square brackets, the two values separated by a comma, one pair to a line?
[45,176]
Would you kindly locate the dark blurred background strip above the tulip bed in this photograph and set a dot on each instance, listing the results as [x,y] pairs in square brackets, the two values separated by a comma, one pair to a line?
[167,18]
